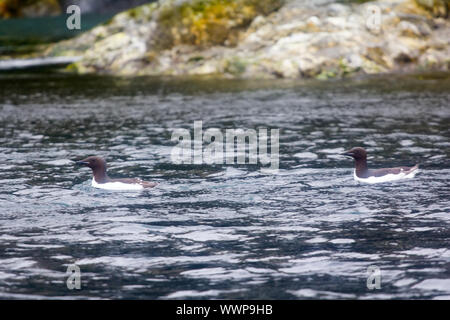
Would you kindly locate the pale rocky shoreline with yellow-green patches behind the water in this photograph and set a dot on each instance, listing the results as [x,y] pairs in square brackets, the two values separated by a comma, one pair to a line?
[267,39]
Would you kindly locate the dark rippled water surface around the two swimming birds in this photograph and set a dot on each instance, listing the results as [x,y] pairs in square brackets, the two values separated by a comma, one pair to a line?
[223,231]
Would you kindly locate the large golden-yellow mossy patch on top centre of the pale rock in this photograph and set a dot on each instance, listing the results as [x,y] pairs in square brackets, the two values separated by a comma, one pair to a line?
[208,22]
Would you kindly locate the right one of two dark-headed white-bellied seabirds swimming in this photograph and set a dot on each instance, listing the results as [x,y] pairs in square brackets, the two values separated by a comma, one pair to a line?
[363,174]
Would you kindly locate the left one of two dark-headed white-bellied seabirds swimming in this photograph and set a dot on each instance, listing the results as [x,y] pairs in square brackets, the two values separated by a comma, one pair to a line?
[103,181]
